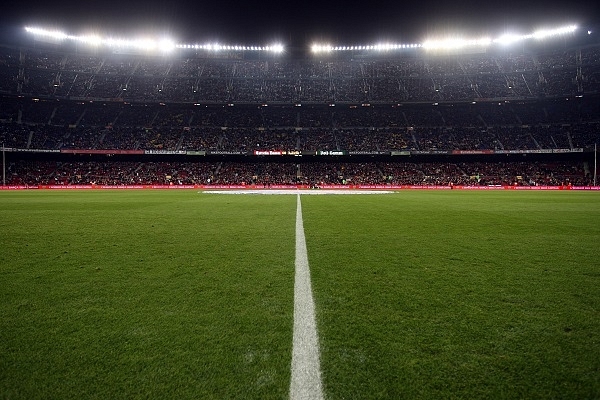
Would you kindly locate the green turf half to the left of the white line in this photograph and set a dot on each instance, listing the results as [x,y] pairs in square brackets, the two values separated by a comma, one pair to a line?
[145,295]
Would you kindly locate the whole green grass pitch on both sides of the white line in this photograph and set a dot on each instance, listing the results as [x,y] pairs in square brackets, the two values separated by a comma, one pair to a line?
[419,294]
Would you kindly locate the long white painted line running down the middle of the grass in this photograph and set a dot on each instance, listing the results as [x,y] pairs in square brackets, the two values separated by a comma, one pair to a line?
[306,369]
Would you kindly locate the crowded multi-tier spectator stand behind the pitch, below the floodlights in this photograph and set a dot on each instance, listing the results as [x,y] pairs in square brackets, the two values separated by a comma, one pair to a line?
[498,118]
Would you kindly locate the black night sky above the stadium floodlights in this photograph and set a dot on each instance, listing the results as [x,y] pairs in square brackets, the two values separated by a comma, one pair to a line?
[296,22]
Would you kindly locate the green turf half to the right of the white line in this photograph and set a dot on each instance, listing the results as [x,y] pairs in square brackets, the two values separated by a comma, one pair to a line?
[457,294]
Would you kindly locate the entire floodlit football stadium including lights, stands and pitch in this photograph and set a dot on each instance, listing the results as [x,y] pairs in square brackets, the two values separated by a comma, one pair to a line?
[349,221]
